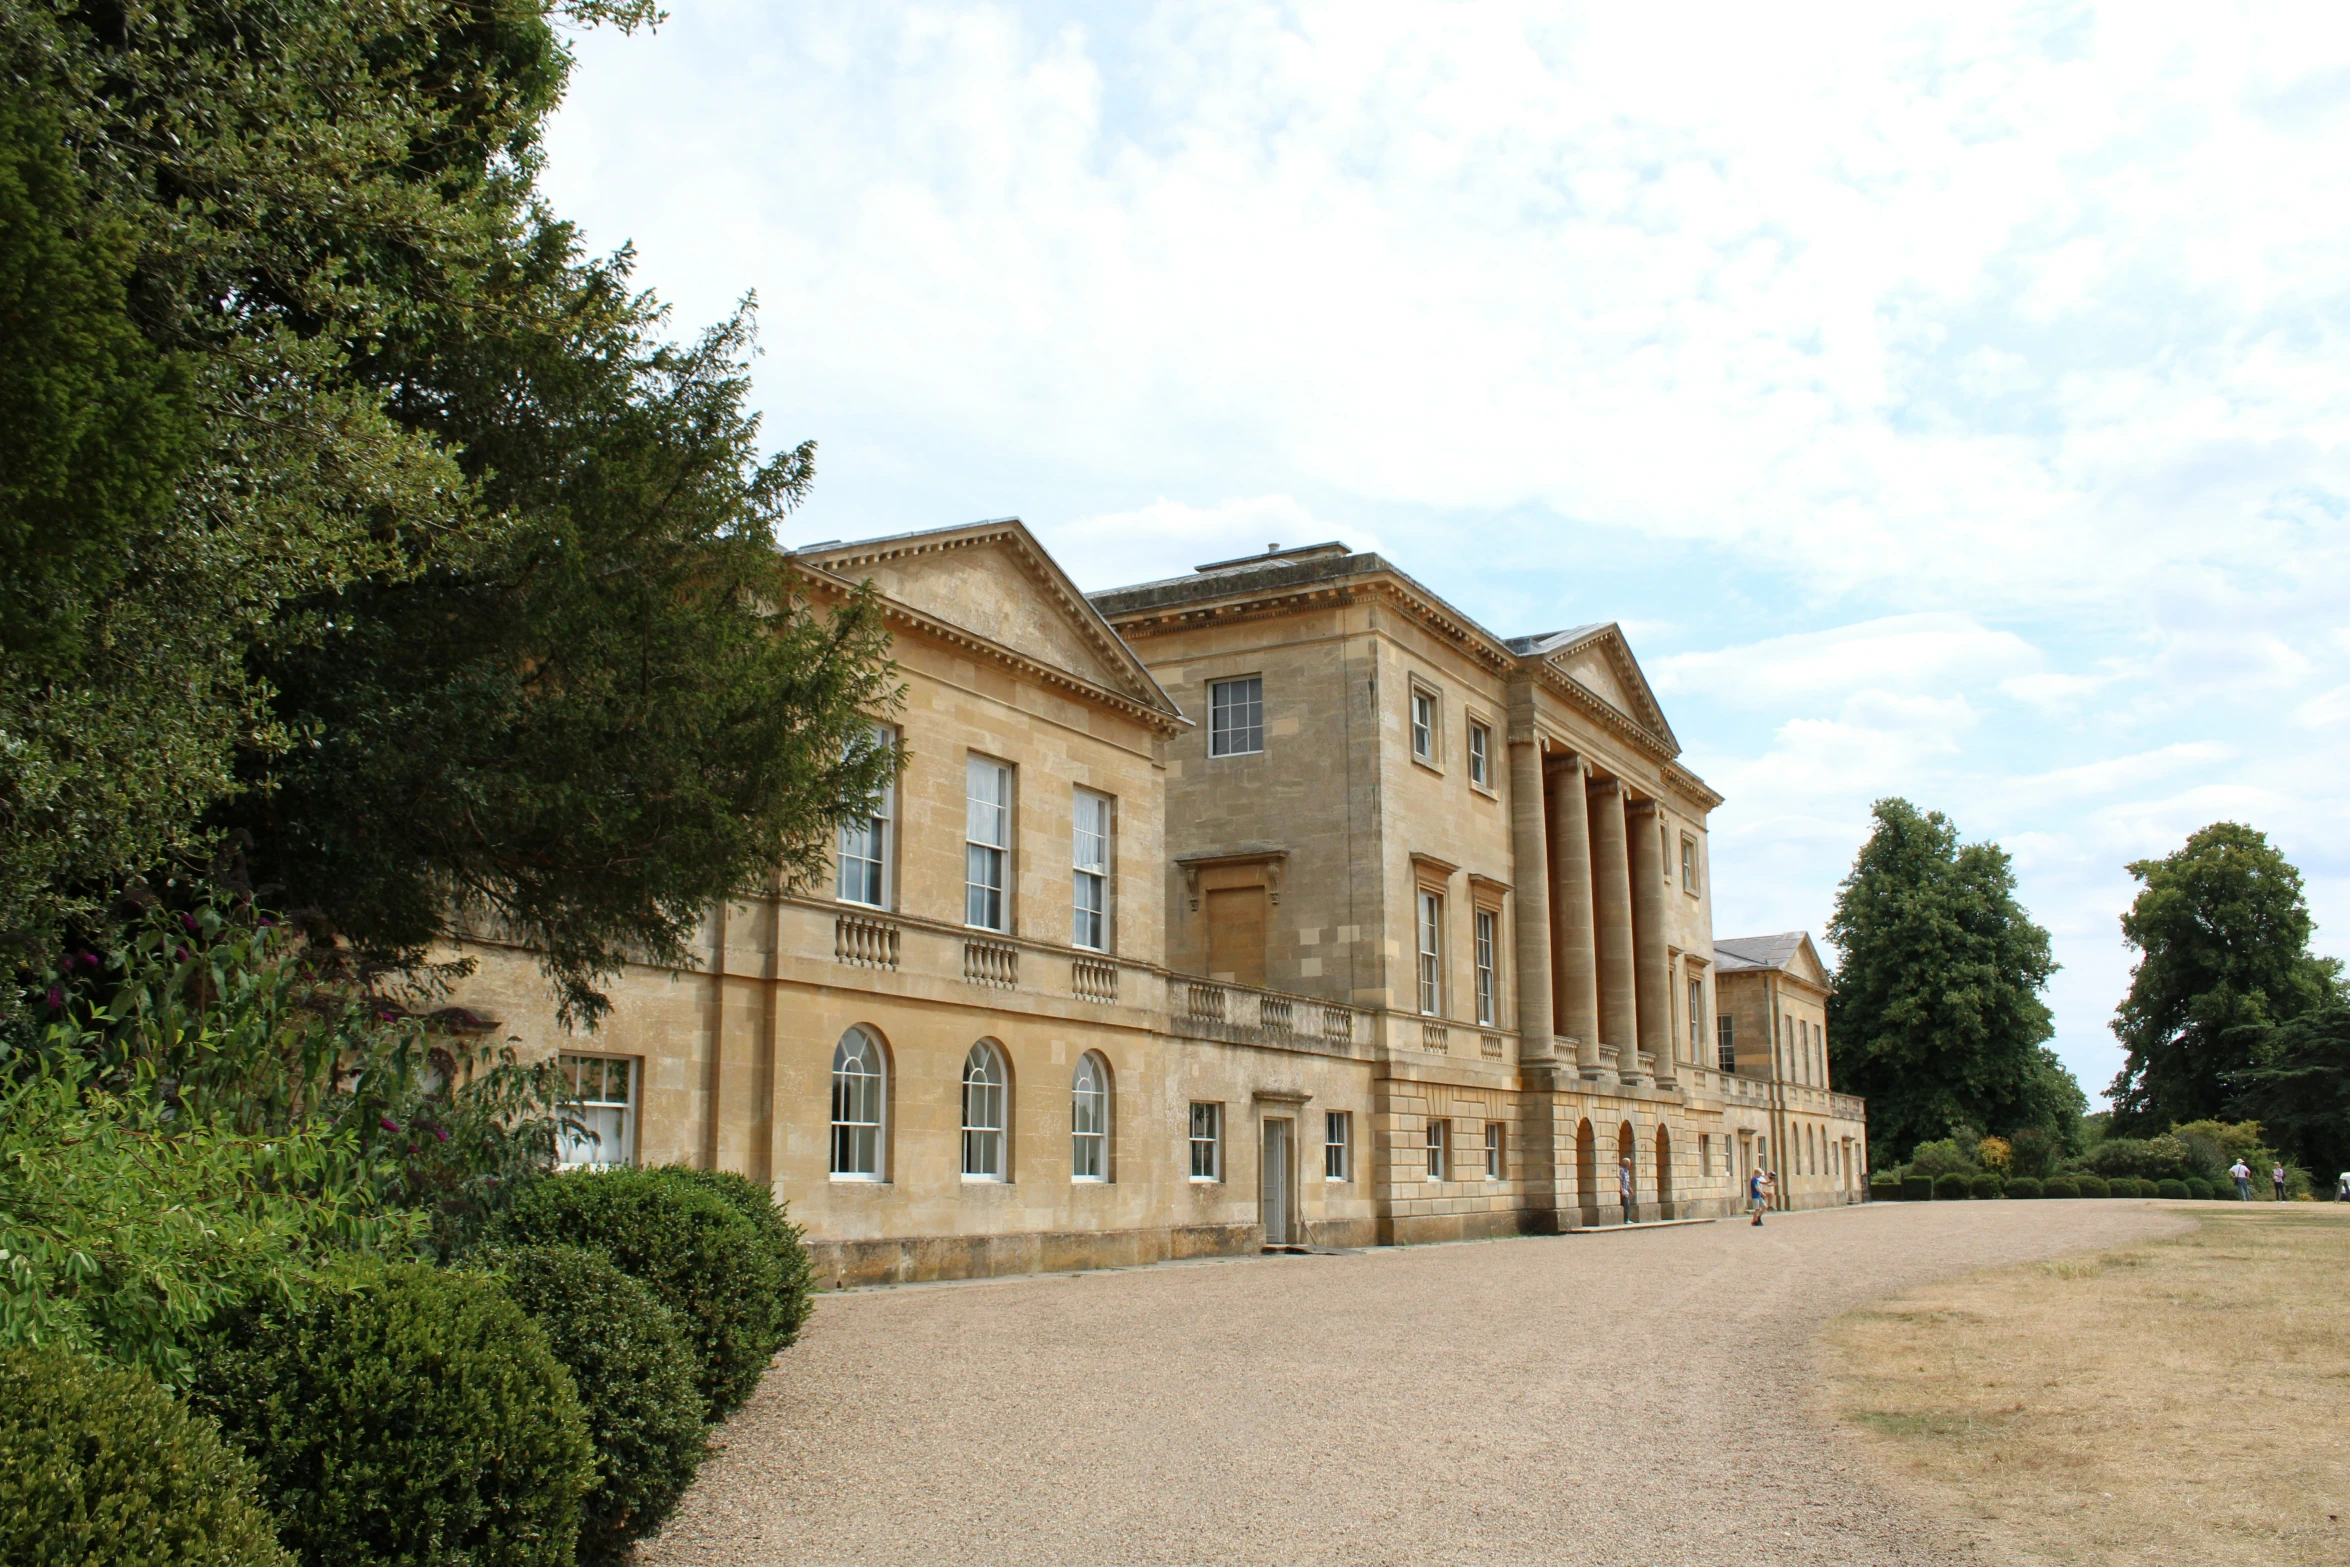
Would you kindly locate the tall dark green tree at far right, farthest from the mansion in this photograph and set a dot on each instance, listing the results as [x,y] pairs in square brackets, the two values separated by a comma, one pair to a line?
[2224,953]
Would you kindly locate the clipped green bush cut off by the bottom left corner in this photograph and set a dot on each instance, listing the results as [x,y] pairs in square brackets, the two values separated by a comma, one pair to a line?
[100,1467]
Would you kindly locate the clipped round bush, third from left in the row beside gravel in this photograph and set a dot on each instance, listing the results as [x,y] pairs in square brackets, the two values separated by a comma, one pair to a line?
[636,1383]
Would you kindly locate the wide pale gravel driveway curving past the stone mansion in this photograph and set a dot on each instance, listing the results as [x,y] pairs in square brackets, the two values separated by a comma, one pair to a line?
[1627,1397]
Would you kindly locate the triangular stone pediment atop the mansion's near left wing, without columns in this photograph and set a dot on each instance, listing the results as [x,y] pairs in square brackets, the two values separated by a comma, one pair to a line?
[995,581]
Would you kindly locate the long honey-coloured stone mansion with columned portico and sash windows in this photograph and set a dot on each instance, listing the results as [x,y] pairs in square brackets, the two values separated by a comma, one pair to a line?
[1277,906]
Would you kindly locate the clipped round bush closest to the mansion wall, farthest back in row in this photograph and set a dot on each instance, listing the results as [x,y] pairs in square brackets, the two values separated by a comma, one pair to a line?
[683,1242]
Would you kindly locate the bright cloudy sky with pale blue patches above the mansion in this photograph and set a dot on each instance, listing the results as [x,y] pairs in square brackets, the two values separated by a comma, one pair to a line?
[1947,403]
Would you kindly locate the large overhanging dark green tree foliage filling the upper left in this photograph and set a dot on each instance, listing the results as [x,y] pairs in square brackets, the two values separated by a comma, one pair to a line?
[431,567]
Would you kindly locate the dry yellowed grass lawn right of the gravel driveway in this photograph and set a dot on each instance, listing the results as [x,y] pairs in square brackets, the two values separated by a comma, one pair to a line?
[2182,1401]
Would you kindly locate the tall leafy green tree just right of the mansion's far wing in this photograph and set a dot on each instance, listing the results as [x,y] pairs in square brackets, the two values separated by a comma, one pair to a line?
[1938,993]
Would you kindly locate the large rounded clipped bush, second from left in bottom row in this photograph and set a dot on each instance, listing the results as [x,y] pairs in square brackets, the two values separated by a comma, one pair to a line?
[412,1415]
